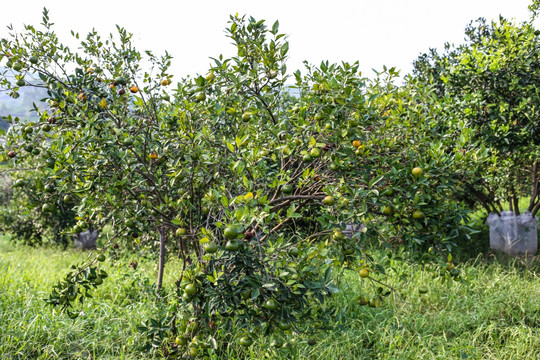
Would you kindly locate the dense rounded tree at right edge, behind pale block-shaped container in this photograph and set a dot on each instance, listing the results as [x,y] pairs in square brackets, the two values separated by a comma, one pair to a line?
[490,83]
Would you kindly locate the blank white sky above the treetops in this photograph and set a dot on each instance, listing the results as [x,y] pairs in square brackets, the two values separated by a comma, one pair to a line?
[374,32]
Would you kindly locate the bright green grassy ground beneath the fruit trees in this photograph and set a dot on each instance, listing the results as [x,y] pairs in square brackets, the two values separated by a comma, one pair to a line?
[495,314]
